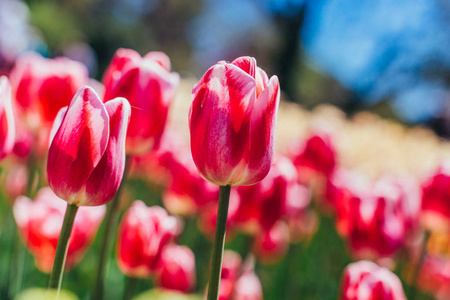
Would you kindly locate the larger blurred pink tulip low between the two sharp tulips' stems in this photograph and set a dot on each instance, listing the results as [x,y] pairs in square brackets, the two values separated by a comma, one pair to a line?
[143,233]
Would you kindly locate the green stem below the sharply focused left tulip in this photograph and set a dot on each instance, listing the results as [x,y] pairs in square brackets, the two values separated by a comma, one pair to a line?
[61,248]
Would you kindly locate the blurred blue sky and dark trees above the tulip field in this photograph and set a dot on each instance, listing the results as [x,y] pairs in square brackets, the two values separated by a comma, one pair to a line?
[389,56]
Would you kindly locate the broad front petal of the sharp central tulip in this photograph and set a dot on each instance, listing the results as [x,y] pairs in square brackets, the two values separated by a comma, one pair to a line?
[219,121]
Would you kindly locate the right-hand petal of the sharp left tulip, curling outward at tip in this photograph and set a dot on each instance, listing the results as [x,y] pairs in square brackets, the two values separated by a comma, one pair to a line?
[104,181]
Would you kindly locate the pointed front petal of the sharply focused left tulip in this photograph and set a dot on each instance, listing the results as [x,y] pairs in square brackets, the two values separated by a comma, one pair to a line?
[78,145]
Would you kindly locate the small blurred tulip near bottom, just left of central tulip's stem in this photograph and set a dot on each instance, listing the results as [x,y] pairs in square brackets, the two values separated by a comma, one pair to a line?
[176,269]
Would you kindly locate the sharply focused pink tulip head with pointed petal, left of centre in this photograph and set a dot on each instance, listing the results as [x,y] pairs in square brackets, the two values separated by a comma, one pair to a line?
[86,158]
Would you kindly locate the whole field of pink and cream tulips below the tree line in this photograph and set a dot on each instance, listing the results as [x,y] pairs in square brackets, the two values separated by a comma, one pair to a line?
[152,185]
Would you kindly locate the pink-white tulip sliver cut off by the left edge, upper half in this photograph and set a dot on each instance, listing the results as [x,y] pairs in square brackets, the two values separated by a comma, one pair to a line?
[7,128]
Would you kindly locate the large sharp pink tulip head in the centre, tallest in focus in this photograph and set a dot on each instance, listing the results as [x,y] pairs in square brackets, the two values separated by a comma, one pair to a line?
[232,122]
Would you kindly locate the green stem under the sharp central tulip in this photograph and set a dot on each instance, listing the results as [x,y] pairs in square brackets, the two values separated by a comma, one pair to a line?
[219,243]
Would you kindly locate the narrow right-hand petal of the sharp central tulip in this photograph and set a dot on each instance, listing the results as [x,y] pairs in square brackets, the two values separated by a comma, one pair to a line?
[262,134]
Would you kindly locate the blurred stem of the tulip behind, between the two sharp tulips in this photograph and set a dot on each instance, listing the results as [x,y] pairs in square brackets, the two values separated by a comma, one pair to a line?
[108,236]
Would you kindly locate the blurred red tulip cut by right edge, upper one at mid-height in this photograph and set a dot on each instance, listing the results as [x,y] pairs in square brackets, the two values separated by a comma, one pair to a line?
[436,200]
